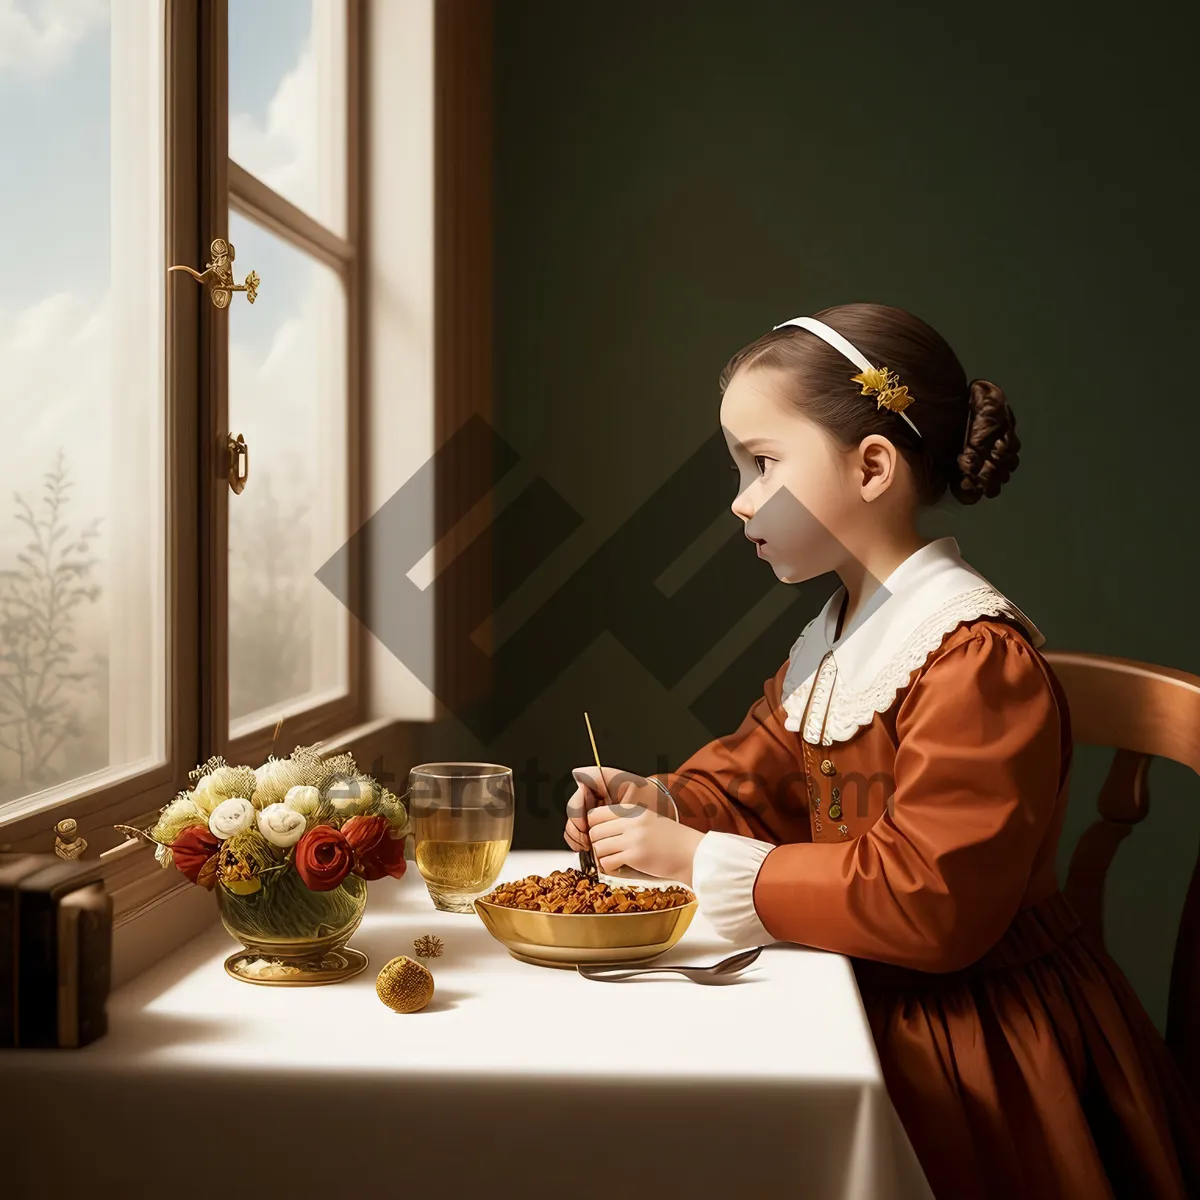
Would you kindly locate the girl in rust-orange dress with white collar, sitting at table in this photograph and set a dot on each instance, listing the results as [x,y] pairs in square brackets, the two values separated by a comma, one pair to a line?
[897,794]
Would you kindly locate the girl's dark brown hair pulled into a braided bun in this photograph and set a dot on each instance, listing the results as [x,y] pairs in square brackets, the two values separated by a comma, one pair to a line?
[968,440]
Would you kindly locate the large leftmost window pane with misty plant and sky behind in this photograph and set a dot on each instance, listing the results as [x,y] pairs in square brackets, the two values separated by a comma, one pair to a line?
[82,333]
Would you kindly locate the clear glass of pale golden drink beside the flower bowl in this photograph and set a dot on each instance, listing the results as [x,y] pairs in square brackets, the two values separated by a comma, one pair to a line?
[463,829]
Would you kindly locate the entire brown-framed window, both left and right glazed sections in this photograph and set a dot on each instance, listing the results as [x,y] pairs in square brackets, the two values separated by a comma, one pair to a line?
[149,615]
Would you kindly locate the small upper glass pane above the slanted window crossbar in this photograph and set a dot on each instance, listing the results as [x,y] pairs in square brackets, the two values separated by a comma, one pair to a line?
[287,100]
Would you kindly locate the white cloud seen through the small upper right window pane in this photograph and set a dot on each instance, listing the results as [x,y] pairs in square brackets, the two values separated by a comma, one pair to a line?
[283,152]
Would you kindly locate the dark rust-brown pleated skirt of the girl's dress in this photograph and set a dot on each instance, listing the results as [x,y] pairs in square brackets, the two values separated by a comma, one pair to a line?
[1035,1073]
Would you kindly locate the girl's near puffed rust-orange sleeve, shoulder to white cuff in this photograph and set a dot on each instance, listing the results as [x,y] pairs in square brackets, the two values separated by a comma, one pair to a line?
[937,881]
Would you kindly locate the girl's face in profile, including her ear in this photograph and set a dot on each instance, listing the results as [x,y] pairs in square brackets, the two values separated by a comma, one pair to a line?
[802,497]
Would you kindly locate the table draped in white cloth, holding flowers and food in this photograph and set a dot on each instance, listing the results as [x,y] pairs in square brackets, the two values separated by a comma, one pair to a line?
[517,1079]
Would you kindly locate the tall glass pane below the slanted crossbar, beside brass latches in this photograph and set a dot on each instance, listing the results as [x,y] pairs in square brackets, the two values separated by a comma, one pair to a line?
[289,637]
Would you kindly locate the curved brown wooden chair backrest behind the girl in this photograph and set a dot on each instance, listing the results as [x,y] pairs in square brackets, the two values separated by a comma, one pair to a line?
[1143,712]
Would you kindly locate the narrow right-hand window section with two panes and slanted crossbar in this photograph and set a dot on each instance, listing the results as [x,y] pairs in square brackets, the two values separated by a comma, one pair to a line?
[292,395]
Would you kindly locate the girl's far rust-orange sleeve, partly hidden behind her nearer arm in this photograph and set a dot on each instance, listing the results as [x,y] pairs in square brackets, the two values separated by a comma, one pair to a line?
[736,783]
